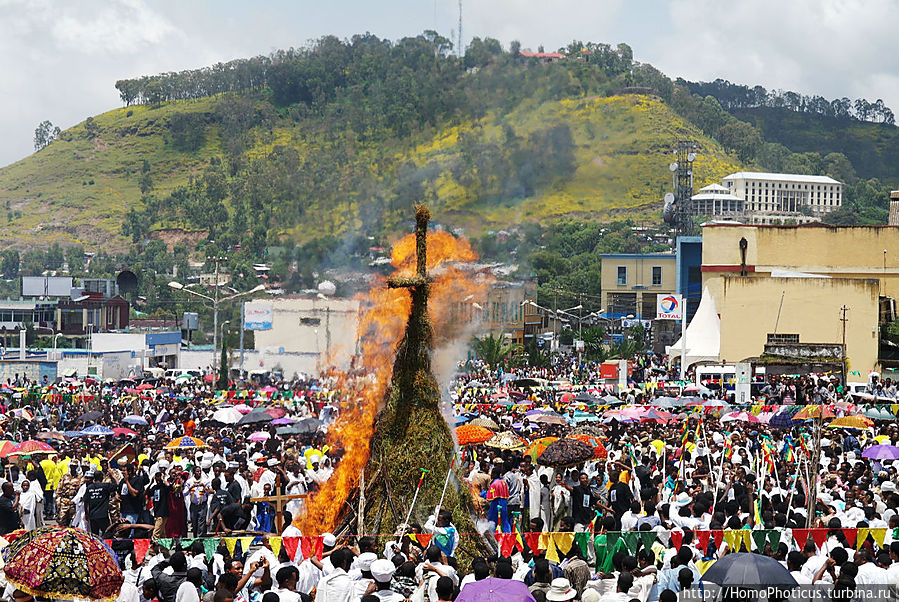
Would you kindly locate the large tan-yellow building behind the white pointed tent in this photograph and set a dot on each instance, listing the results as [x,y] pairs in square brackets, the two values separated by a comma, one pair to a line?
[805,274]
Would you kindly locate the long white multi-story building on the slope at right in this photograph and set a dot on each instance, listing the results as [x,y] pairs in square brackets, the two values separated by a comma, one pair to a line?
[774,198]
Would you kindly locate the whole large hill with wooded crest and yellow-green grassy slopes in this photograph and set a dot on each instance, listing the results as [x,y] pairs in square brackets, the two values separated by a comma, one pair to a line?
[344,137]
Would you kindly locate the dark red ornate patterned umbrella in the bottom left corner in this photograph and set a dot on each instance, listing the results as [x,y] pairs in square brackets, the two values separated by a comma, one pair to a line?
[63,563]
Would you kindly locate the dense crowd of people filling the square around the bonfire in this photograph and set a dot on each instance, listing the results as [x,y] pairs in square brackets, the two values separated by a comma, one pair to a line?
[687,476]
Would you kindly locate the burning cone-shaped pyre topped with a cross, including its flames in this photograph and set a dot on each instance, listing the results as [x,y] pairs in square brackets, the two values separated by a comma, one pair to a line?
[395,428]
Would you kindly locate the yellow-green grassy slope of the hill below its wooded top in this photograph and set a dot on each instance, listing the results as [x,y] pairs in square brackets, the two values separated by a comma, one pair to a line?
[80,188]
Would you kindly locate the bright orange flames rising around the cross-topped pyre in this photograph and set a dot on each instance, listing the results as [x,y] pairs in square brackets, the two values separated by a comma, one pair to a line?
[382,324]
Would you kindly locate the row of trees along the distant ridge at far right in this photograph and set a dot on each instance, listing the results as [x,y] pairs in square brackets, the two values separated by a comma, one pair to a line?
[737,96]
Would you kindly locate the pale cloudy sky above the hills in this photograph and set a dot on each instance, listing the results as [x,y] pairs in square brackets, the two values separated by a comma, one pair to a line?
[60,59]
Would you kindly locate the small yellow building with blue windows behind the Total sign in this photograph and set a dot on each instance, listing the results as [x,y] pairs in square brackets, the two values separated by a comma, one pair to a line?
[631,283]
